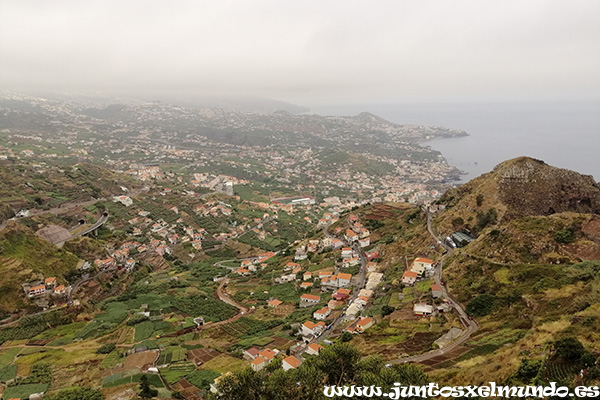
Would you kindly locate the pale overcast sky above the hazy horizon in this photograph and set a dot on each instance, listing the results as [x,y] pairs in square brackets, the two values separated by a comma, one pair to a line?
[308,52]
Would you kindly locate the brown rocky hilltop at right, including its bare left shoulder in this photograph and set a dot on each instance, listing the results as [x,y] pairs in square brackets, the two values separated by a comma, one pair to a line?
[517,188]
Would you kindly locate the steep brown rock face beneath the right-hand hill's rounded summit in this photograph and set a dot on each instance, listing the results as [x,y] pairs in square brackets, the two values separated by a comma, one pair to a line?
[531,187]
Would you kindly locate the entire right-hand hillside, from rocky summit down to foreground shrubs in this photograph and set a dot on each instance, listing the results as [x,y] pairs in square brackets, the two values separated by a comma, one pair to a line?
[531,275]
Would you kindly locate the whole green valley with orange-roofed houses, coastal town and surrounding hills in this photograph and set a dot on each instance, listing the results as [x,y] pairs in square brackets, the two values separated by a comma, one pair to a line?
[199,249]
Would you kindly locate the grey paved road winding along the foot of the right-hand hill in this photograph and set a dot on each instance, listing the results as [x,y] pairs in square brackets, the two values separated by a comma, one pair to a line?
[469,324]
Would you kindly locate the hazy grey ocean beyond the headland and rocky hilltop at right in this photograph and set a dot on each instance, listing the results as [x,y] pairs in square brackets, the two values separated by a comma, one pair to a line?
[565,135]
